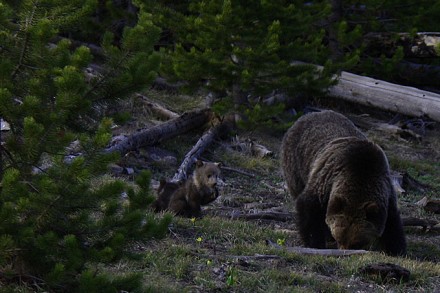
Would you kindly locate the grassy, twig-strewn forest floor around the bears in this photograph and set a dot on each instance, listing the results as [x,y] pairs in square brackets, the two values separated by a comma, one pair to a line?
[228,250]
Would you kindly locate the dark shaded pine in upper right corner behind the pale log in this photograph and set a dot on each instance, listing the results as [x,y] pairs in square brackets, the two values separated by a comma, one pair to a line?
[358,19]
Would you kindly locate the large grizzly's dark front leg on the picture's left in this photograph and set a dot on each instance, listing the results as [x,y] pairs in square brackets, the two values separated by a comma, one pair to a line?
[311,220]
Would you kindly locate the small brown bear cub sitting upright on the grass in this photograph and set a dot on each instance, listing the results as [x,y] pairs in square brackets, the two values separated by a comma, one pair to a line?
[186,199]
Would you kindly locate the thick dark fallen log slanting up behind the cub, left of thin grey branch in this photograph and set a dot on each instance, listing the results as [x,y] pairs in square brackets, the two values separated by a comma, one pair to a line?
[164,131]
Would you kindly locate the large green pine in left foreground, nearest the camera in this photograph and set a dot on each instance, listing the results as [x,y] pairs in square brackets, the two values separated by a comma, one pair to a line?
[57,222]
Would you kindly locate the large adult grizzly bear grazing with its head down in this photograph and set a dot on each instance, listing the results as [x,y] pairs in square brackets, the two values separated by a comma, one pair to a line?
[342,186]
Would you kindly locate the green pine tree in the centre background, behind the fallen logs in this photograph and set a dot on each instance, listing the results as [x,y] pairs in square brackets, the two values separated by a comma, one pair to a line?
[240,48]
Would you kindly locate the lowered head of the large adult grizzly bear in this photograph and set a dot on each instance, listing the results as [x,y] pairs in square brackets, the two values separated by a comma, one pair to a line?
[355,226]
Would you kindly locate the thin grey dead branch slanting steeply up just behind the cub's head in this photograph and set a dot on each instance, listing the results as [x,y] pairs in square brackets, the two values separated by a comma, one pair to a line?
[195,152]
